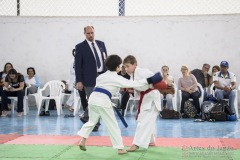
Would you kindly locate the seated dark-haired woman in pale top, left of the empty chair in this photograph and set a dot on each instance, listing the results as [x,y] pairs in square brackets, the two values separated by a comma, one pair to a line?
[32,81]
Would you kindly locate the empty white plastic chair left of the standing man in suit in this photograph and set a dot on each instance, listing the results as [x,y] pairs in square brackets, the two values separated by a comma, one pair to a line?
[56,88]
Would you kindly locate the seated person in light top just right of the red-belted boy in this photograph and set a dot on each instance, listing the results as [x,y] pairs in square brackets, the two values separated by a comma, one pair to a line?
[167,94]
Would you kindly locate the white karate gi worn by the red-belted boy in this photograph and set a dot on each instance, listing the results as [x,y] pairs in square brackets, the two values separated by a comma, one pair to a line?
[150,107]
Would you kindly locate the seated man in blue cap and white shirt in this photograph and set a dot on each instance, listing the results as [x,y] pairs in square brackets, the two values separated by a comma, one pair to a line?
[225,83]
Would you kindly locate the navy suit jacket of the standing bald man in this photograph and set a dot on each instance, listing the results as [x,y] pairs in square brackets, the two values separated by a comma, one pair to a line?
[85,63]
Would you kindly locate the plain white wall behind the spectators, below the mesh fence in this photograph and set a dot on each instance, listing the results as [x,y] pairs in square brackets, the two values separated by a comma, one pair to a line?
[47,43]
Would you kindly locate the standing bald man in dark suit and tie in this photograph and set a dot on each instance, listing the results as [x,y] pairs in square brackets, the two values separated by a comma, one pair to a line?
[89,63]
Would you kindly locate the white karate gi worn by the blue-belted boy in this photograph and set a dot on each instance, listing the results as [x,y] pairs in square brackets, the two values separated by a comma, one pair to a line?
[100,105]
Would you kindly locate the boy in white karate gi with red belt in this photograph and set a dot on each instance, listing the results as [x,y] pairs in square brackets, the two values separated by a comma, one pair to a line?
[149,109]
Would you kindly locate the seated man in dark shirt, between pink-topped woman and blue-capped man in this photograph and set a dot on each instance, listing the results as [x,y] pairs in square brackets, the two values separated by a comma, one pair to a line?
[203,77]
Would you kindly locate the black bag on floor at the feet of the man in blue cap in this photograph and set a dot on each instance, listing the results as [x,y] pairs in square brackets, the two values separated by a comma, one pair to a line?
[220,111]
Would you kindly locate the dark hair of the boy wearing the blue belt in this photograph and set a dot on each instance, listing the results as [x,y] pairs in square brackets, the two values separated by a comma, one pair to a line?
[112,62]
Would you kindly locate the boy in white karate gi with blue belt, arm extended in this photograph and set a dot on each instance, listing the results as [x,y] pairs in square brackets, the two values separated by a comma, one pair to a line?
[100,105]
